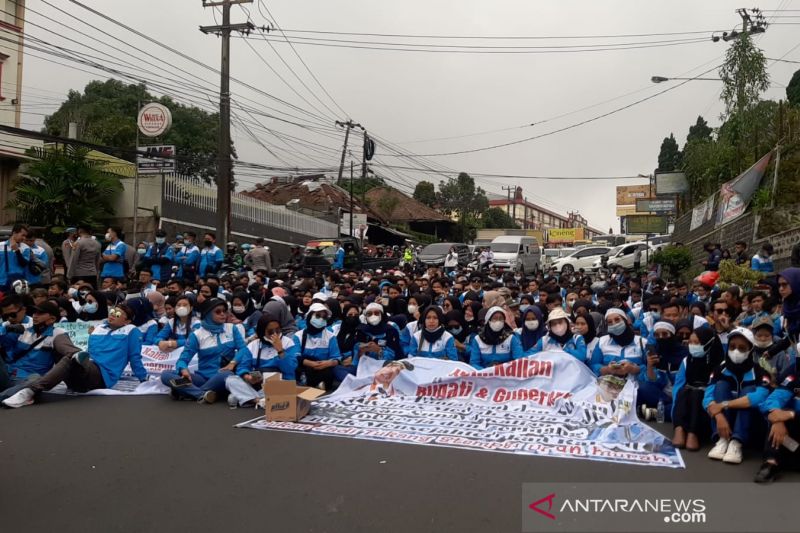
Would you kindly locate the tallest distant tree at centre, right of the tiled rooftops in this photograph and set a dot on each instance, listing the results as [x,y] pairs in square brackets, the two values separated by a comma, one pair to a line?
[461,199]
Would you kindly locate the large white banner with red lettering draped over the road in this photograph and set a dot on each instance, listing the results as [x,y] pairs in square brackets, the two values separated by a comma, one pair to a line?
[549,404]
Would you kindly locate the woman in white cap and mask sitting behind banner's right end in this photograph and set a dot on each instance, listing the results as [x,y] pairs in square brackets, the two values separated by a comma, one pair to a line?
[621,352]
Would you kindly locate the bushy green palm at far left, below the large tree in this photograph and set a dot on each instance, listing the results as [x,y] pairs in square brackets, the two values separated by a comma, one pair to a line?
[62,187]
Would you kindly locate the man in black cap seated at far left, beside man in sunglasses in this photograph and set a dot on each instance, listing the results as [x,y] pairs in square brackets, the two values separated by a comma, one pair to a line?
[36,349]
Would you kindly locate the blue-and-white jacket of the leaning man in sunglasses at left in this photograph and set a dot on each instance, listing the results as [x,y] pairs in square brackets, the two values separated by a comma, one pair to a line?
[113,349]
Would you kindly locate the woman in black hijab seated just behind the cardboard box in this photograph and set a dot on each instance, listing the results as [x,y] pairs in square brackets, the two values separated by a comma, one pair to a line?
[271,351]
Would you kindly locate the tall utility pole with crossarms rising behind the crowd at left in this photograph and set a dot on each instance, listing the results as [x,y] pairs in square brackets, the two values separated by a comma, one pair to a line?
[224,164]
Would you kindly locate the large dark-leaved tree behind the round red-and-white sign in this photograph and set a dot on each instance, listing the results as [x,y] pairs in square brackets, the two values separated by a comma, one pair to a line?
[106,114]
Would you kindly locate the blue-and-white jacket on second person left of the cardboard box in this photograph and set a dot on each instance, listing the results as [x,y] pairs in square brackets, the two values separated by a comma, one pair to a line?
[213,350]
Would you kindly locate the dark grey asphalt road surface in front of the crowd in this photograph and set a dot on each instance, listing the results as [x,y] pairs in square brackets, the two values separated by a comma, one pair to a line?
[146,463]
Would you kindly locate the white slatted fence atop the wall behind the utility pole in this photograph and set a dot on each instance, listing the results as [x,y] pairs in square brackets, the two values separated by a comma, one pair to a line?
[191,193]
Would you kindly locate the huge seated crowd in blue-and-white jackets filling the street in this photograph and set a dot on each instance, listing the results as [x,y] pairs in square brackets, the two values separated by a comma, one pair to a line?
[718,364]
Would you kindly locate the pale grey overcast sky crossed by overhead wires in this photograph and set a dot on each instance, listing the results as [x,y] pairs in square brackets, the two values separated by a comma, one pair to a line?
[404,97]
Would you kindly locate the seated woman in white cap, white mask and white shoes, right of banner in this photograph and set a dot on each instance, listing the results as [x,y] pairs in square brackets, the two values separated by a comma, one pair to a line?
[733,397]
